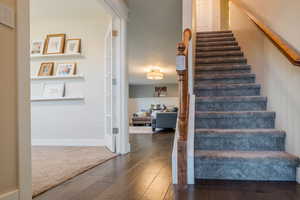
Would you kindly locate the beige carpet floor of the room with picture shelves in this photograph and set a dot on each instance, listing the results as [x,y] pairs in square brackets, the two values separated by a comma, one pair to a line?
[52,166]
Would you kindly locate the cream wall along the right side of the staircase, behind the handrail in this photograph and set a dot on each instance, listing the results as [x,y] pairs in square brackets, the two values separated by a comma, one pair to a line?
[279,78]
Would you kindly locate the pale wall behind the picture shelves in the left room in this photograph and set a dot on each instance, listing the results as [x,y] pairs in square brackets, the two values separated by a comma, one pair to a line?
[77,122]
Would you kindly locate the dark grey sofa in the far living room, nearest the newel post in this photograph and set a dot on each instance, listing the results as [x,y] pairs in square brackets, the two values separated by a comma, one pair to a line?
[164,120]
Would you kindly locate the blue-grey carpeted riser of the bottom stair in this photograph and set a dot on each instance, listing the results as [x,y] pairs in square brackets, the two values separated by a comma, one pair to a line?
[257,170]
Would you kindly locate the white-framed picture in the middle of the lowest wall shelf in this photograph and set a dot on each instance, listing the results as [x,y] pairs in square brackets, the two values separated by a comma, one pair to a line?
[53,90]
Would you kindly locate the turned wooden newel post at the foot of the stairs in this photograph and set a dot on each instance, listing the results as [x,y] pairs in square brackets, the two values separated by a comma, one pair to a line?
[183,79]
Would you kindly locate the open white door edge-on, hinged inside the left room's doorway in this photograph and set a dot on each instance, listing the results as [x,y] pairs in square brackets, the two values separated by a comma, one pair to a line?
[109,91]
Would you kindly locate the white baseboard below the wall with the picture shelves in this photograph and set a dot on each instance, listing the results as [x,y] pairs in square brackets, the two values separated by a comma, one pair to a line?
[69,142]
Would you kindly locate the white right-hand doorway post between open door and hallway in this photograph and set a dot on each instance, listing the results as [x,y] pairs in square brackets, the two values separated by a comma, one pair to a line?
[119,11]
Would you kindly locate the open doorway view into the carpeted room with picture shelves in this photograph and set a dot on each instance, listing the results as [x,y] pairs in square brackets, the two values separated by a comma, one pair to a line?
[74,60]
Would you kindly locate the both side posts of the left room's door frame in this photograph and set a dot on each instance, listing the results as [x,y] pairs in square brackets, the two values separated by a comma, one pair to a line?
[23,90]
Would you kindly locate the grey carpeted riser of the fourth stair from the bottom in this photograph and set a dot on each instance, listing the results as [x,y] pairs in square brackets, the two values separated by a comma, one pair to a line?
[231,103]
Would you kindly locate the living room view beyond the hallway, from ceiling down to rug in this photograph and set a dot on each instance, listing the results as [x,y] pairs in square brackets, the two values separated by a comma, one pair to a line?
[153,87]
